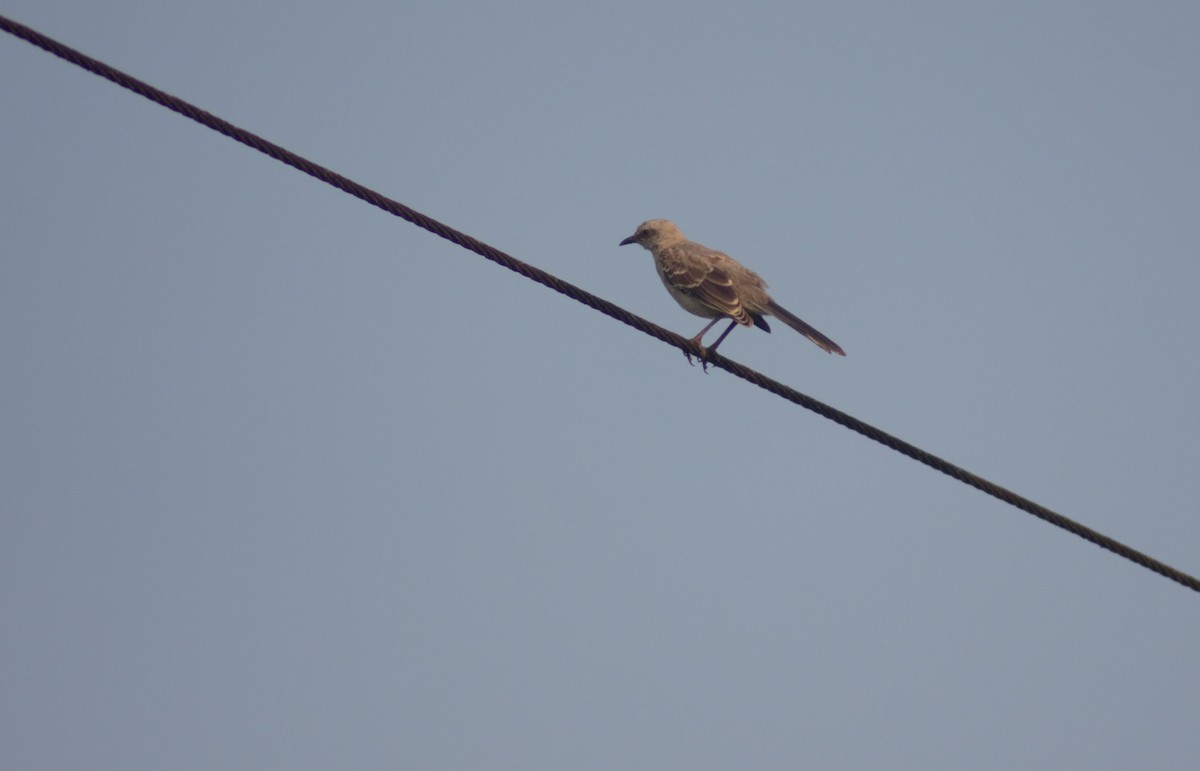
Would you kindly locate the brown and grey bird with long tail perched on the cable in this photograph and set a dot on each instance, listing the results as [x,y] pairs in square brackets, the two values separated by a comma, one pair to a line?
[713,285]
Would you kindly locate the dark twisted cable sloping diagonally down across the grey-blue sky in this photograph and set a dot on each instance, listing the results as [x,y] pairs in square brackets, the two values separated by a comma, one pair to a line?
[587,298]
